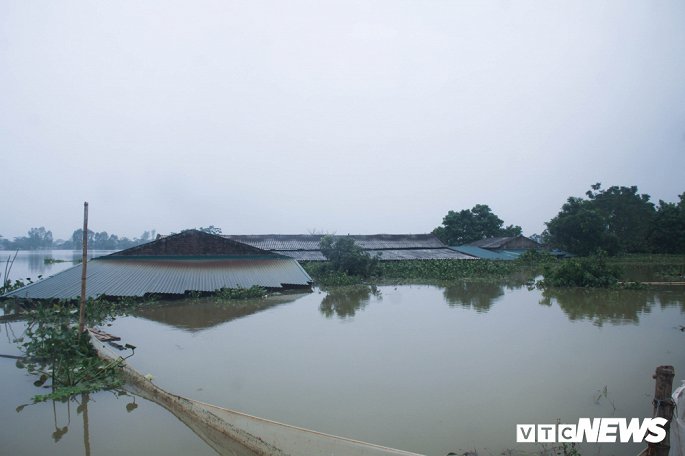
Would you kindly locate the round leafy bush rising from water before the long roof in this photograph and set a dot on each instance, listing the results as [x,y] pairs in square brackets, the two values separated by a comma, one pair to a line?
[346,256]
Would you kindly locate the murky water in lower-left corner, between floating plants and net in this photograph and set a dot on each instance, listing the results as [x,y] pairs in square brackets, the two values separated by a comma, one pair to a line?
[102,423]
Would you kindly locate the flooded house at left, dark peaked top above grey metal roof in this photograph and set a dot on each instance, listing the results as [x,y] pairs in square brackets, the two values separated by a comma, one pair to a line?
[191,261]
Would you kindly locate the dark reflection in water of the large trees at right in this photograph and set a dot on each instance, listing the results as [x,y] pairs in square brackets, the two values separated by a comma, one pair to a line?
[616,307]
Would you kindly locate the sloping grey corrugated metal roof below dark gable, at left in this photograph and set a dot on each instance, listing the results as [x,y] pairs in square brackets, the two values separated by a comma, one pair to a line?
[137,277]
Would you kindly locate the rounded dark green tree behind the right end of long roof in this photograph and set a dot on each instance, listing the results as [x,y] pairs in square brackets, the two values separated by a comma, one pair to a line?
[471,225]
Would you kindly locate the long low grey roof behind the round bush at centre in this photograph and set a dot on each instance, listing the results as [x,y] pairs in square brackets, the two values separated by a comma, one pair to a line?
[389,247]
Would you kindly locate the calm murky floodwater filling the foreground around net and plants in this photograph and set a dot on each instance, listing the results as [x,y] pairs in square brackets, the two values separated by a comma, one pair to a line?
[423,368]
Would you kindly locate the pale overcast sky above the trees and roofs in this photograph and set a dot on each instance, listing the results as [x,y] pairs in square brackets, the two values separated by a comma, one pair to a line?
[338,116]
